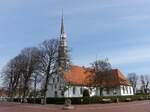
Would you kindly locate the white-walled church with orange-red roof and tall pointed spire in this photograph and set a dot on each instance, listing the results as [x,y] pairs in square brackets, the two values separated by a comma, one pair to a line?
[73,80]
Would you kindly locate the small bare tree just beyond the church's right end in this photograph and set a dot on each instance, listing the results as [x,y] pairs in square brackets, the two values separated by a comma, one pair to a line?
[133,78]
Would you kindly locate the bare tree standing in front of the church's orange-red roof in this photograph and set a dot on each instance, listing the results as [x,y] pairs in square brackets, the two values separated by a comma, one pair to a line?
[102,72]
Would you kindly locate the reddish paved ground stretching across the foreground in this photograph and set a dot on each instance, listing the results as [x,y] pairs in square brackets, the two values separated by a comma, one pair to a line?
[139,106]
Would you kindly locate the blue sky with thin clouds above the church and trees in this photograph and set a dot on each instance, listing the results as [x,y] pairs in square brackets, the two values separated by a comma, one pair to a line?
[116,29]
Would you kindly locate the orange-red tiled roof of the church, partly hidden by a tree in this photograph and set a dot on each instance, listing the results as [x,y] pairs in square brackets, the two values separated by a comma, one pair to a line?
[83,76]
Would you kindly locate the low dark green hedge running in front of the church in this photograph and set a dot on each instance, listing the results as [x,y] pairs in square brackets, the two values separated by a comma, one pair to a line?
[88,100]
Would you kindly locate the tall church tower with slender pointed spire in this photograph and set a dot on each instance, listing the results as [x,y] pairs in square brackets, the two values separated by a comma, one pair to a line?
[63,59]
